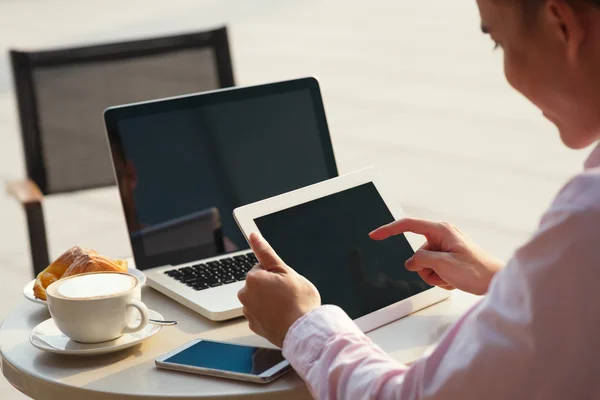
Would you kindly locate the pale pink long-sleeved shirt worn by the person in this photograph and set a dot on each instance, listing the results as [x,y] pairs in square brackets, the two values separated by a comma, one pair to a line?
[535,335]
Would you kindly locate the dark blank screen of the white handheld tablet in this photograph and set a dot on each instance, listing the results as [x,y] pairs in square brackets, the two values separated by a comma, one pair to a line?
[327,241]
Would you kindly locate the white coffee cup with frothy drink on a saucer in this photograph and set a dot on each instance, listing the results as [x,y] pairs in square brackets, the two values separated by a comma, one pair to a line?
[96,307]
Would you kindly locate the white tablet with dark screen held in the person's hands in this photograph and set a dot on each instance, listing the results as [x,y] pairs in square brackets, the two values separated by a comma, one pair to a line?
[322,231]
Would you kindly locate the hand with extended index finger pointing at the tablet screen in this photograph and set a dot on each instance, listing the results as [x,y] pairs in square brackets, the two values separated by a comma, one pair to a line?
[449,259]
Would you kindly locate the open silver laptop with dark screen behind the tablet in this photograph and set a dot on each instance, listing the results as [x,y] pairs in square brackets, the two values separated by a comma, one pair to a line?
[183,164]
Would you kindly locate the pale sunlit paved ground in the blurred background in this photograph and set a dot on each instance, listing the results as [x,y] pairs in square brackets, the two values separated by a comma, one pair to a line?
[410,86]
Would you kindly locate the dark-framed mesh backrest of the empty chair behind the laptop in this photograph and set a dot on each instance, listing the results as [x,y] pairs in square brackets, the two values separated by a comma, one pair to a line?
[61,95]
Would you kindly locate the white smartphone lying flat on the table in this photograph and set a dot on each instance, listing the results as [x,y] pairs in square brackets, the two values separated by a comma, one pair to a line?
[226,360]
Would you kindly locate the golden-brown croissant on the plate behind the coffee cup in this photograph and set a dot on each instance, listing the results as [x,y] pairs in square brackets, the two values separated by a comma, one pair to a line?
[77,260]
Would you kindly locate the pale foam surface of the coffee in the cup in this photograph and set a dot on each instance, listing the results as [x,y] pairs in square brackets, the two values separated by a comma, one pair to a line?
[94,286]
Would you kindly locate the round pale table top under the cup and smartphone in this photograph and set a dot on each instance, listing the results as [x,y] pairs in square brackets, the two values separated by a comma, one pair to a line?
[131,373]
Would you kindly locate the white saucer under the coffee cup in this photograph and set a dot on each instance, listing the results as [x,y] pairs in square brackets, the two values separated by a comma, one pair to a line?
[47,337]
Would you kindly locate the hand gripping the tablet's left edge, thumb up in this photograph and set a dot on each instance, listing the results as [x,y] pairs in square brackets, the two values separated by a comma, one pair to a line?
[275,295]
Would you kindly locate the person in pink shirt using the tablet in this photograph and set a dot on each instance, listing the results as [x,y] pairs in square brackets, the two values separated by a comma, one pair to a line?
[536,334]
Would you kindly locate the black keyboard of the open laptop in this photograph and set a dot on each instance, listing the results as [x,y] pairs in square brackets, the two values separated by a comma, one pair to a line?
[214,273]
